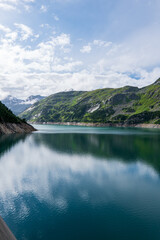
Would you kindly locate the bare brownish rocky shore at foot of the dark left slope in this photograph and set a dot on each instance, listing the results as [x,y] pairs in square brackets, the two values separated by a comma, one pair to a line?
[8,128]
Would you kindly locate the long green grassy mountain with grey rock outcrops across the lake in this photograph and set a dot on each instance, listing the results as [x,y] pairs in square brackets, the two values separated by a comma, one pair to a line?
[124,106]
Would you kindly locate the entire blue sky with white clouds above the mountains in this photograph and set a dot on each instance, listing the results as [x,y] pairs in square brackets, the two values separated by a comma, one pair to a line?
[48,46]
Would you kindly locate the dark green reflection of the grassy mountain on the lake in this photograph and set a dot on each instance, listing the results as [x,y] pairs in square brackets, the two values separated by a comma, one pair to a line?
[126,148]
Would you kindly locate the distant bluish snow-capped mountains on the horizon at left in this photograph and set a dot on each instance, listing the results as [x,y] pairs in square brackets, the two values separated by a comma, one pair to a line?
[18,105]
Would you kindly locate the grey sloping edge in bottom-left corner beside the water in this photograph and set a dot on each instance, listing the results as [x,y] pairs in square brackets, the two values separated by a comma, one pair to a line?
[5,233]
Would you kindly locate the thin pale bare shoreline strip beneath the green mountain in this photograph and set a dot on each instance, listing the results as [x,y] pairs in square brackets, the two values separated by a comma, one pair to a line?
[140,125]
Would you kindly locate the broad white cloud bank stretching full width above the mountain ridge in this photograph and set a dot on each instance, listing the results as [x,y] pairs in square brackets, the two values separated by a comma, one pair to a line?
[51,65]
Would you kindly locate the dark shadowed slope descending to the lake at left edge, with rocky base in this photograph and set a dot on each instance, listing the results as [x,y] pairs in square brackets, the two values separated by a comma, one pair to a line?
[9,123]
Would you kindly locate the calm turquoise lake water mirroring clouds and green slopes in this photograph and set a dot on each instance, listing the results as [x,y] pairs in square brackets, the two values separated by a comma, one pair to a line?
[72,183]
